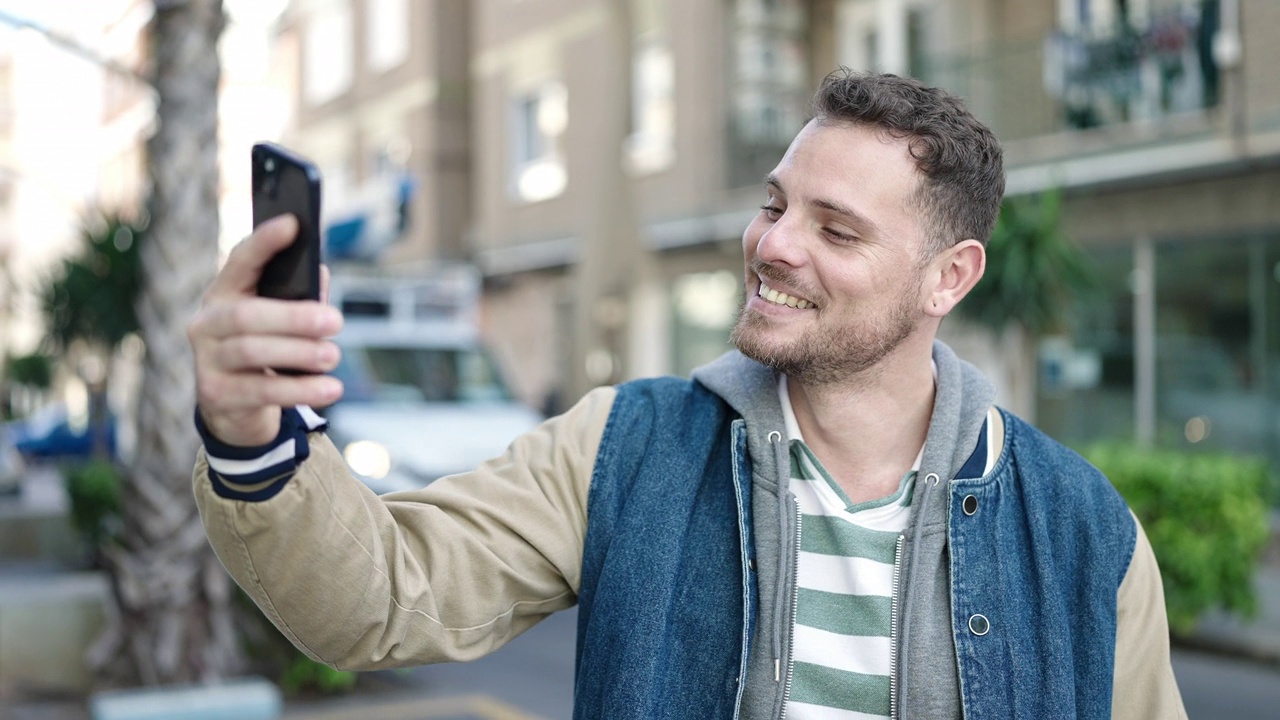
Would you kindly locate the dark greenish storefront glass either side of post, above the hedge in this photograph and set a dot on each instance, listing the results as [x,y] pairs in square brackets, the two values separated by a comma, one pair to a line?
[1217,373]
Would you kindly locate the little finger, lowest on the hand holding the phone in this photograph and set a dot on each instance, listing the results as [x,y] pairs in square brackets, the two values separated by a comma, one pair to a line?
[239,393]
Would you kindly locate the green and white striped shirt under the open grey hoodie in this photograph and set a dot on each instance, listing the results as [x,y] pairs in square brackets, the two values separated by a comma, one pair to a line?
[845,587]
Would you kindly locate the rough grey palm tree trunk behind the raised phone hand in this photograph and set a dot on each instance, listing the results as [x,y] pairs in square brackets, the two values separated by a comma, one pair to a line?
[173,617]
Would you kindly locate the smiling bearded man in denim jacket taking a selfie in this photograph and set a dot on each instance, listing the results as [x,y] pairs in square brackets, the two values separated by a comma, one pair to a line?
[833,523]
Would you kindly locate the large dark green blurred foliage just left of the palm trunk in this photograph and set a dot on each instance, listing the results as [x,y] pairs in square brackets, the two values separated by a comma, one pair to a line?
[94,295]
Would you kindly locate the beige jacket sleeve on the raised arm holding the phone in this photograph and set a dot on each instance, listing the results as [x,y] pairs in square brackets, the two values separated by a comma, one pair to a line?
[450,572]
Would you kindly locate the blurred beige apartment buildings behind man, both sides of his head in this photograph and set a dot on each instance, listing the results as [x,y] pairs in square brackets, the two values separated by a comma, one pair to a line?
[600,160]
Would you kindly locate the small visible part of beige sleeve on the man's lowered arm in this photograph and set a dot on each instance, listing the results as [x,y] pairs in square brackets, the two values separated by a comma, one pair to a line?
[1145,685]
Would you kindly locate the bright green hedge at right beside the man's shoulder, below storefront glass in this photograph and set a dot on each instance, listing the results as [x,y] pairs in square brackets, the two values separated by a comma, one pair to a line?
[1206,517]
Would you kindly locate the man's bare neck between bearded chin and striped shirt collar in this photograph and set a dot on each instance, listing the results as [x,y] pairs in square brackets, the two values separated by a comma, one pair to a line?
[868,430]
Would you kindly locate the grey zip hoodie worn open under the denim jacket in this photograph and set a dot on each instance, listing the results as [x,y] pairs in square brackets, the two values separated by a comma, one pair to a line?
[926,678]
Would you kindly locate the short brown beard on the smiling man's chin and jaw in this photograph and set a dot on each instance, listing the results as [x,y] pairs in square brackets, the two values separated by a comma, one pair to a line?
[829,356]
